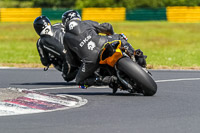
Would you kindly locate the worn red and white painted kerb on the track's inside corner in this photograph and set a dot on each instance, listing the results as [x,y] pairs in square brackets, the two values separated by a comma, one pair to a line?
[36,102]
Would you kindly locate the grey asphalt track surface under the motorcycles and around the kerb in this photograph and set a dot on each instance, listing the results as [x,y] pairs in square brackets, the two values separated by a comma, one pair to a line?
[174,109]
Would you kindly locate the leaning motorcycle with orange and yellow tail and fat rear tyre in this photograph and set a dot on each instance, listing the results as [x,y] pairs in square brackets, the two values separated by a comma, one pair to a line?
[114,60]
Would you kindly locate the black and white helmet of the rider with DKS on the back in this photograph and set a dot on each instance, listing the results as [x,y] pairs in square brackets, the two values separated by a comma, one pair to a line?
[69,15]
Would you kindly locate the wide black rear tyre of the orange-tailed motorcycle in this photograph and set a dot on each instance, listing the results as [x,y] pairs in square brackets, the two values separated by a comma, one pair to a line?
[142,78]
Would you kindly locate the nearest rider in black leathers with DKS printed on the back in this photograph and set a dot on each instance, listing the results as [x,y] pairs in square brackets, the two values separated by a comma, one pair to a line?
[82,37]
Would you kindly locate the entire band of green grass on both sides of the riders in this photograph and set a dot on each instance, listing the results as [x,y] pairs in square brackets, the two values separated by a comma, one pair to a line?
[165,44]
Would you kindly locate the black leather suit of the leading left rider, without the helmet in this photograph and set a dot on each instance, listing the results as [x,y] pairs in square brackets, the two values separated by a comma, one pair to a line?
[52,51]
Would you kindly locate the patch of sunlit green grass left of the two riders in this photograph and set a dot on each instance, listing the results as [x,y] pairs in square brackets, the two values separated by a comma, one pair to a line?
[18,43]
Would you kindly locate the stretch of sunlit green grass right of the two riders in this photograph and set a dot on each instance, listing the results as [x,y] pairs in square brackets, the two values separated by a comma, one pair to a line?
[166,44]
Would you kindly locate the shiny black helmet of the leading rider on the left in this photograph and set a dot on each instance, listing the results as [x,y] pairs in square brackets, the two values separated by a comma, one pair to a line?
[40,24]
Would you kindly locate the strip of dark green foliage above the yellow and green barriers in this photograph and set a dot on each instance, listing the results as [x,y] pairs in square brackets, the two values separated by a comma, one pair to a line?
[78,4]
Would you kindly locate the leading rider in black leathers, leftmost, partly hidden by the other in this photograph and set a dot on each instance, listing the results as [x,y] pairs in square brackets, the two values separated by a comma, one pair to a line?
[51,49]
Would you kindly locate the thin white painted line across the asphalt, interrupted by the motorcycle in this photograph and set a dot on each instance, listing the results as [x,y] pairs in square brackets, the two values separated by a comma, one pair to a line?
[157,81]
